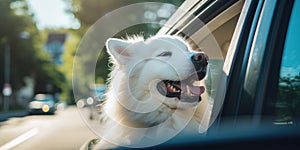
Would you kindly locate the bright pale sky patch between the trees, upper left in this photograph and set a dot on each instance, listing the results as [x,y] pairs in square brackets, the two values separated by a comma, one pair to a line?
[52,14]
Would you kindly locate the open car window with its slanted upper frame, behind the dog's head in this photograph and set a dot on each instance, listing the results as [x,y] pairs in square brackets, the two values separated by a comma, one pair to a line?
[207,26]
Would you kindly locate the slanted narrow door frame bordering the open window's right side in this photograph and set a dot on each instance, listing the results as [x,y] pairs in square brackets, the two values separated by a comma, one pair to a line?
[232,65]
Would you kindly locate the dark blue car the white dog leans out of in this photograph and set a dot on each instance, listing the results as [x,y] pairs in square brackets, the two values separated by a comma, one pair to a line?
[254,74]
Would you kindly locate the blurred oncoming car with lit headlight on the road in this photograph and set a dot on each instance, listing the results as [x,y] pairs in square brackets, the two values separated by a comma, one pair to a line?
[42,104]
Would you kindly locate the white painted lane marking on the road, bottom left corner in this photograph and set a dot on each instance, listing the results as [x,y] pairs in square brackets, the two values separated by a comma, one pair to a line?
[25,136]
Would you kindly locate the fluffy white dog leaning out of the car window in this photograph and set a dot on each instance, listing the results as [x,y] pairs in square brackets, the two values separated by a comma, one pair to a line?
[153,92]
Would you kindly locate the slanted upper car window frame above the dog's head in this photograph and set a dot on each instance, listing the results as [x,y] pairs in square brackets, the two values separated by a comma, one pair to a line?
[188,22]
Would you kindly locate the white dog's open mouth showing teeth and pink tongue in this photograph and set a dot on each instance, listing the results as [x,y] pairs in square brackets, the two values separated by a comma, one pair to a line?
[184,90]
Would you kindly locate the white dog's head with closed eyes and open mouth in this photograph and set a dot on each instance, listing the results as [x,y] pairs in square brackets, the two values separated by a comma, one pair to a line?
[162,67]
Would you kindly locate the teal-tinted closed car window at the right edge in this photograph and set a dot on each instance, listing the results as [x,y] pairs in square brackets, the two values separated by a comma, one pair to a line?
[287,104]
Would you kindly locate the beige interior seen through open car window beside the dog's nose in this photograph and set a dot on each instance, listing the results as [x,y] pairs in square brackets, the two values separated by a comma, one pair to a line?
[215,45]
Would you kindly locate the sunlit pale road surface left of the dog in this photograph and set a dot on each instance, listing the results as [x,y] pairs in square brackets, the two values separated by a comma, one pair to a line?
[65,130]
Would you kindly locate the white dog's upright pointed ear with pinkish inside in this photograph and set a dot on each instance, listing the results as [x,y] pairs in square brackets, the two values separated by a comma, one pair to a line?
[117,48]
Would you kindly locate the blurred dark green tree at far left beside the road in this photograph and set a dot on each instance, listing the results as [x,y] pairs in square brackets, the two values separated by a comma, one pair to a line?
[27,56]
